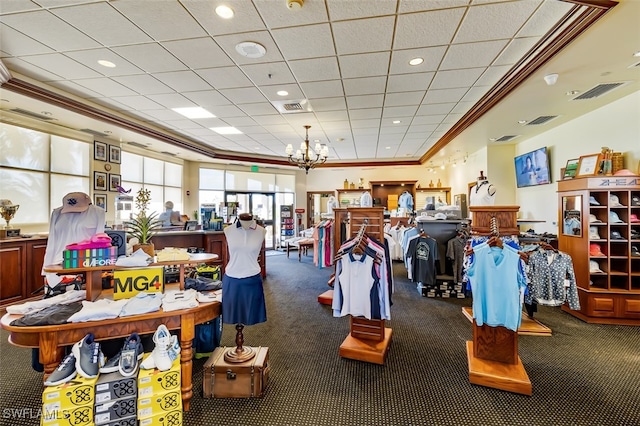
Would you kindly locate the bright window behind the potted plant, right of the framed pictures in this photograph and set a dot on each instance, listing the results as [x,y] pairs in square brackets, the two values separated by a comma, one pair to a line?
[162,178]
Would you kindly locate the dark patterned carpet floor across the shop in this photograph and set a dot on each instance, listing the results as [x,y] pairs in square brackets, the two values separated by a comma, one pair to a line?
[583,374]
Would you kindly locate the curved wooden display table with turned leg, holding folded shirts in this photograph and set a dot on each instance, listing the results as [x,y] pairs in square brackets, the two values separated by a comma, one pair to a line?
[51,339]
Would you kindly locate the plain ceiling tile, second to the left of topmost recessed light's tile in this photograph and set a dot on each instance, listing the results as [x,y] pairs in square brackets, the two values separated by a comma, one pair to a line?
[99,20]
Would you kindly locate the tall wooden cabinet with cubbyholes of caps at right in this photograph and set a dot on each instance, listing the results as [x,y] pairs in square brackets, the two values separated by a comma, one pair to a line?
[609,294]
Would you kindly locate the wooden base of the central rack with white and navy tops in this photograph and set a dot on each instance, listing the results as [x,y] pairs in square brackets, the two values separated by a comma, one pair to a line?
[368,341]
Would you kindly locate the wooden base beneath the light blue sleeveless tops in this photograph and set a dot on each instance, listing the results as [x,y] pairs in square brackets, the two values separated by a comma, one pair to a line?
[494,362]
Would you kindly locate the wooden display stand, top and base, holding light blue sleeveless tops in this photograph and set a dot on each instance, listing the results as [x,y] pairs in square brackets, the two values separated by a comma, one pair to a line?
[493,354]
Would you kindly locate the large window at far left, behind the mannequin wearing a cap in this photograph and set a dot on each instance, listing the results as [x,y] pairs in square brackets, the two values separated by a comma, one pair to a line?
[38,169]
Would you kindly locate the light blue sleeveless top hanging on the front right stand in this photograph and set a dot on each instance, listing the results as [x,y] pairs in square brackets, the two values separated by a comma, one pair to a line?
[497,284]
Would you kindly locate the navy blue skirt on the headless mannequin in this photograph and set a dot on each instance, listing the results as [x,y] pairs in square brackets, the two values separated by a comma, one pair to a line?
[243,300]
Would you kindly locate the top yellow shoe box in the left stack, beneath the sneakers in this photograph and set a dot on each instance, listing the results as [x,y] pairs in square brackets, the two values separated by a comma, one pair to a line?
[67,396]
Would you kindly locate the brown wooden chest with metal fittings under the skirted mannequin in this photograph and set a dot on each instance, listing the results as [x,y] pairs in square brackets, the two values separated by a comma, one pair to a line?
[246,379]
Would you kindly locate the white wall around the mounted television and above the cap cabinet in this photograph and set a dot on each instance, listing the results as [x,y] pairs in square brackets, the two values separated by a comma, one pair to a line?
[615,125]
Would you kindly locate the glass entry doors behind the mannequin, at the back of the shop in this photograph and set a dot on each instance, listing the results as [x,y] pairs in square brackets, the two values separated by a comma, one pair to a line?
[261,205]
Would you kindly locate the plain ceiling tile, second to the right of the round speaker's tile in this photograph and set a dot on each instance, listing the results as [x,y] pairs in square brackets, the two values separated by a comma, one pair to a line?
[365,35]
